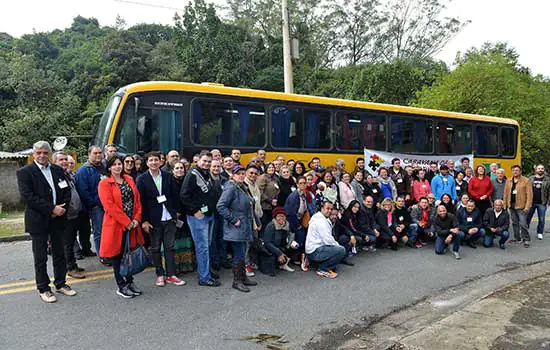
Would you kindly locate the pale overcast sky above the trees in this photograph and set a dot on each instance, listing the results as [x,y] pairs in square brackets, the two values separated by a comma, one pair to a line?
[523,24]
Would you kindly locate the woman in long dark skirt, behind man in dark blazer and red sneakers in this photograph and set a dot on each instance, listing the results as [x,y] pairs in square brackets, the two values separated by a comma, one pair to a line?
[184,252]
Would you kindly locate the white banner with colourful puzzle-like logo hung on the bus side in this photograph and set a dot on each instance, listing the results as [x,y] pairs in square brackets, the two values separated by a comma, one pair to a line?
[374,160]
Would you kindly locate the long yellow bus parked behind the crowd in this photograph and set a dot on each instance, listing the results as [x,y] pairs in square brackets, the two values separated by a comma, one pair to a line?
[188,117]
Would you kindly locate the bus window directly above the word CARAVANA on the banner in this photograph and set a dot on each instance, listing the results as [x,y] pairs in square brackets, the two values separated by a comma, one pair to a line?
[411,135]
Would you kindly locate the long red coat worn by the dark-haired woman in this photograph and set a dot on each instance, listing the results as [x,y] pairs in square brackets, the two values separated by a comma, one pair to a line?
[115,220]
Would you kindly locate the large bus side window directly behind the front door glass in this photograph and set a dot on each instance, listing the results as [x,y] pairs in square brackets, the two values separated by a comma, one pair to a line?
[228,124]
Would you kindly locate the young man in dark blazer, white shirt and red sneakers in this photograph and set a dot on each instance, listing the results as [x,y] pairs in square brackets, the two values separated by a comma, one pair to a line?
[159,201]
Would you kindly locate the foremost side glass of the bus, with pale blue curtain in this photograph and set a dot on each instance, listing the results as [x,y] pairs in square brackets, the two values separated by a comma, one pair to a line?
[152,130]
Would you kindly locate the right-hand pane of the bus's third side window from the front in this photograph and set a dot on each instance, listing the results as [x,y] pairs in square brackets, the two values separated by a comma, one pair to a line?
[316,129]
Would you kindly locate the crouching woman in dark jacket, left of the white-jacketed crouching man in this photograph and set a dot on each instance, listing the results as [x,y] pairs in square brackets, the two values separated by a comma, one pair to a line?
[278,240]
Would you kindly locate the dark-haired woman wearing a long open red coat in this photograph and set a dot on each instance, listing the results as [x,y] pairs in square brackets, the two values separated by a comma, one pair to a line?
[120,199]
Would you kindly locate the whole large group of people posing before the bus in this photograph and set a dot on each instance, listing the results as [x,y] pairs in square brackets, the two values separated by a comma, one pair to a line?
[215,212]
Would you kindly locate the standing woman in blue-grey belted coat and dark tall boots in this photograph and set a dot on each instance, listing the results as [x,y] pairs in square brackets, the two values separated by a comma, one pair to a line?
[235,207]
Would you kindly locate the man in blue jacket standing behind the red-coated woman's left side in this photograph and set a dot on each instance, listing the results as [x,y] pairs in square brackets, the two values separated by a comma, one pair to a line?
[87,181]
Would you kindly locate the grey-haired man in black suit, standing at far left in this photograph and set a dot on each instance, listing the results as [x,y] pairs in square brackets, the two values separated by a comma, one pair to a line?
[47,194]
